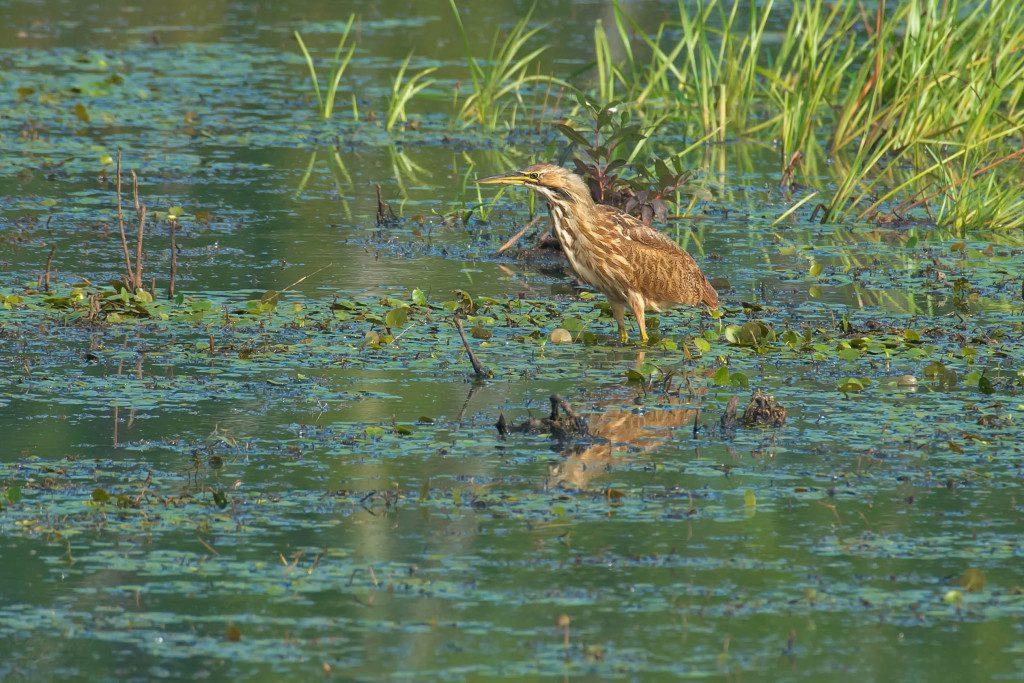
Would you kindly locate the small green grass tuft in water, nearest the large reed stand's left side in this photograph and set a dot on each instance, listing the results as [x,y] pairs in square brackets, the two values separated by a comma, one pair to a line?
[503,75]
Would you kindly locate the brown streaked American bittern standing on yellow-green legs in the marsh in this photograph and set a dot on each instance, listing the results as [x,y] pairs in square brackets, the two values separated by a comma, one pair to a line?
[611,250]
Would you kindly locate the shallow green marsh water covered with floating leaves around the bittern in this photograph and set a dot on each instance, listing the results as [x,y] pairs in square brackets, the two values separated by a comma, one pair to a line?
[254,494]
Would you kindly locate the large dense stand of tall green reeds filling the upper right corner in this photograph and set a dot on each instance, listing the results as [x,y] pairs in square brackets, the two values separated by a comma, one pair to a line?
[917,82]
